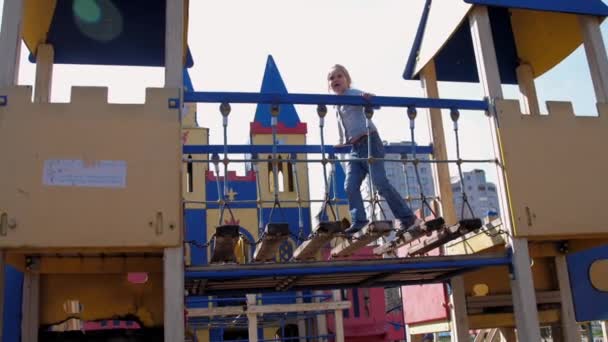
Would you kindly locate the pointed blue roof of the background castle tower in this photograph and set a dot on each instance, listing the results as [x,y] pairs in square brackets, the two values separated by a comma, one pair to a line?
[273,83]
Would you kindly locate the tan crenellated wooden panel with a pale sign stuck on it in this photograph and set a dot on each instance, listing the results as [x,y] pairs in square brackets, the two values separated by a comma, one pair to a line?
[138,204]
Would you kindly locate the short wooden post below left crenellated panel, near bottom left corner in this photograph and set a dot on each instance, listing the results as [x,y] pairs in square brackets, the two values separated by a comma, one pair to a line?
[30,306]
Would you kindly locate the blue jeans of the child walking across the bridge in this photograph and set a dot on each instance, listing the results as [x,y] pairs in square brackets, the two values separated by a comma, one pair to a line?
[356,170]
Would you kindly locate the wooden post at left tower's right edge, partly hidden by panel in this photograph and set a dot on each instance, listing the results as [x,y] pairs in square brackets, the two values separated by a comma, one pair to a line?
[174,257]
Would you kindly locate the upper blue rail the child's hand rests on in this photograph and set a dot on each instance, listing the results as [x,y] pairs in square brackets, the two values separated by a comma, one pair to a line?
[315,99]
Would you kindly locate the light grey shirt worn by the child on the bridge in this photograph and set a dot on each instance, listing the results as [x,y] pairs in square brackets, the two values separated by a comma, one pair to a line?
[351,120]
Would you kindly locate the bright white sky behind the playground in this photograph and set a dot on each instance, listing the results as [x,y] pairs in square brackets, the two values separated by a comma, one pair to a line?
[231,39]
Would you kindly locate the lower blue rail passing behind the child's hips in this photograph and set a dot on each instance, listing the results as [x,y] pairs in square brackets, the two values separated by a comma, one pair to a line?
[210,149]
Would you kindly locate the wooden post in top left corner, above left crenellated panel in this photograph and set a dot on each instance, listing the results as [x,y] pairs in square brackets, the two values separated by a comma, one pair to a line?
[10,42]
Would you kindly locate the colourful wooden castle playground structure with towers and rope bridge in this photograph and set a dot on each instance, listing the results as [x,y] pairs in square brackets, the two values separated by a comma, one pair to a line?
[76,218]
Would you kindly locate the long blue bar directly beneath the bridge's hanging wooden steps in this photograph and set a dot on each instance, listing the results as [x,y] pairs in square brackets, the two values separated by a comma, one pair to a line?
[297,269]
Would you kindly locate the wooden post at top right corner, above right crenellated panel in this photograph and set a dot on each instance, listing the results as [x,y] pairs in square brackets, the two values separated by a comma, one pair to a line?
[596,55]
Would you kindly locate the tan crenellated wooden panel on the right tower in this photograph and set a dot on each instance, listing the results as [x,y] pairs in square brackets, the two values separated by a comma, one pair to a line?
[555,165]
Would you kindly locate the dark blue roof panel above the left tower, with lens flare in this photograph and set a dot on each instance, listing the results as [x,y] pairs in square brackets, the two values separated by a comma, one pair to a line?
[110,33]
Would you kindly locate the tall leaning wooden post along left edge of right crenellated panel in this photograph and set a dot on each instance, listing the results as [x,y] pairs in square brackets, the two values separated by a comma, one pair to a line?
[522,285]
